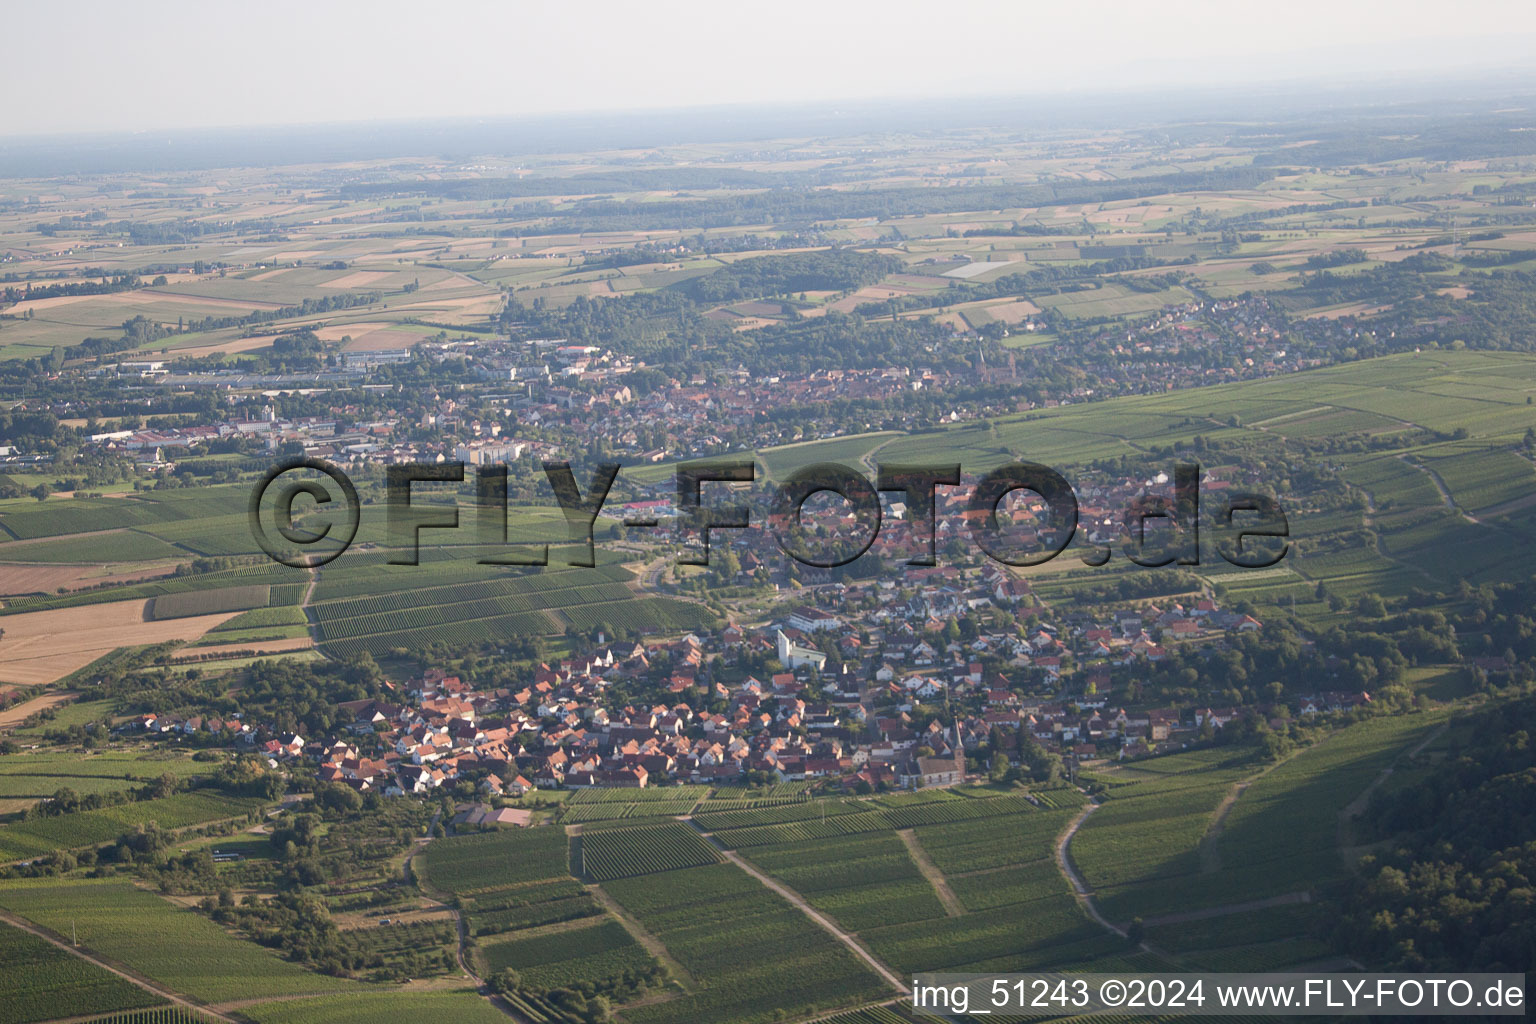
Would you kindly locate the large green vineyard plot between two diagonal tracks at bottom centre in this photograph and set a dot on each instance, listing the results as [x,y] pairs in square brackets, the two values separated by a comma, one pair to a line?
[741,942]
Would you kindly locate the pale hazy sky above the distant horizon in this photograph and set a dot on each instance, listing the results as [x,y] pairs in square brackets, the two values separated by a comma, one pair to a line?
[128,67]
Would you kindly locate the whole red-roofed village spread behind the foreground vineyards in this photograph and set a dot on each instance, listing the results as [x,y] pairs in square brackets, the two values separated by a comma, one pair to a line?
[862,721]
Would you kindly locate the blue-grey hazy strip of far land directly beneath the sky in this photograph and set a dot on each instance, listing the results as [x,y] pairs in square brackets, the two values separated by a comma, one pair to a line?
[451,139]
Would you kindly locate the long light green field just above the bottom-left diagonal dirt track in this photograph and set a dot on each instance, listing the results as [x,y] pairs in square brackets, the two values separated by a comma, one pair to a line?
[131,927]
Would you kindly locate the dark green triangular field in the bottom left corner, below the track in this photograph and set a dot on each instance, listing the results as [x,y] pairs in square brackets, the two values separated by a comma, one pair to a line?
[42,982]
